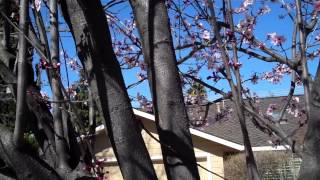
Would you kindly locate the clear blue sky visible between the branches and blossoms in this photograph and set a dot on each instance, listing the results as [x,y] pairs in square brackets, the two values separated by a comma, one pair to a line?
[266,24]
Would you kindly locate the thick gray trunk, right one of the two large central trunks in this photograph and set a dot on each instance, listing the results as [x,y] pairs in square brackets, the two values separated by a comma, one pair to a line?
[171,116]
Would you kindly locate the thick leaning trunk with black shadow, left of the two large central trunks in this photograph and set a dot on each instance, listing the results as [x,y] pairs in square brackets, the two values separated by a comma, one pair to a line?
[88,24]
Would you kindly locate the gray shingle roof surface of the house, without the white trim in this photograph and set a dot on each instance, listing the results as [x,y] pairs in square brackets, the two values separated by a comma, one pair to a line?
[228,126]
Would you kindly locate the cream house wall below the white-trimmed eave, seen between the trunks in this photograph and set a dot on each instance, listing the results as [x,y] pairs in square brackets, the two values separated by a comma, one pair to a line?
[208,155]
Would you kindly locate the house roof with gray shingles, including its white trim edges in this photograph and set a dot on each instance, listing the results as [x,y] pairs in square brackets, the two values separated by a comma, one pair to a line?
[226,130]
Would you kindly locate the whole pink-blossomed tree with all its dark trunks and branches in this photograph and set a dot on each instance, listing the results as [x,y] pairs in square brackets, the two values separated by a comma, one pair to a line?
[200,47]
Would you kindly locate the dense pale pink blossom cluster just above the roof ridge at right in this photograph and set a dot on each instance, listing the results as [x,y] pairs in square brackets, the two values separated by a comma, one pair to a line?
[277,73]
